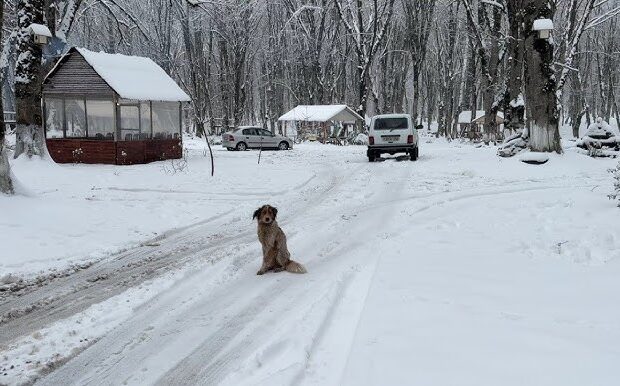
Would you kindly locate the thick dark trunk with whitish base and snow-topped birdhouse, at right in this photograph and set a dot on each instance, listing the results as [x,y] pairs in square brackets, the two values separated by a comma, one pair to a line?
[540,82]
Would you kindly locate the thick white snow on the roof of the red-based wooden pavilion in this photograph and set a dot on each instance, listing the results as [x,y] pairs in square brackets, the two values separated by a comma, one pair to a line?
[135,77]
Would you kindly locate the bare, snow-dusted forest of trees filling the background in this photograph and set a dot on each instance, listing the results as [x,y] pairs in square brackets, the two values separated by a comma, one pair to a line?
[249,61]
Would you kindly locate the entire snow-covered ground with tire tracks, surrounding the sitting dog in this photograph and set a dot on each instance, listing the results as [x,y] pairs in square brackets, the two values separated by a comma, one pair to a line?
[461,268]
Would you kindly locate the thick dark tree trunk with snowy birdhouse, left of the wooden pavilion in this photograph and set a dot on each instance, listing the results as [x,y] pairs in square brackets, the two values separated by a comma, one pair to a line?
[28,79]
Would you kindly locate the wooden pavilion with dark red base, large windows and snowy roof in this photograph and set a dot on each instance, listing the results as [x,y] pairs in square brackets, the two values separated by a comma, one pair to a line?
[111,108]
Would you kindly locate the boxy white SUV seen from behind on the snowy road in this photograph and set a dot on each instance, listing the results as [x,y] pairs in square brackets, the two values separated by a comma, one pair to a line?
[392,133]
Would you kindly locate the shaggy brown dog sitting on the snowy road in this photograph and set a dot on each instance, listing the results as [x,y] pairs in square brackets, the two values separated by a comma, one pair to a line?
[275,253]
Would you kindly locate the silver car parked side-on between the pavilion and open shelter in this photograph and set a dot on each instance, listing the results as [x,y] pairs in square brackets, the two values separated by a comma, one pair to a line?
[252,137]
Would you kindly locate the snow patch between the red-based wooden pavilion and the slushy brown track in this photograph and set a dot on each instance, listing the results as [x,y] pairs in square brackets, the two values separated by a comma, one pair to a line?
[73,214]
